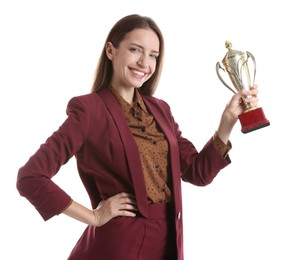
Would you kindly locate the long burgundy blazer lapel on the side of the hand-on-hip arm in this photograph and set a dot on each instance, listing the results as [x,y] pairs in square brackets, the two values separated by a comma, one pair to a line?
[131,149]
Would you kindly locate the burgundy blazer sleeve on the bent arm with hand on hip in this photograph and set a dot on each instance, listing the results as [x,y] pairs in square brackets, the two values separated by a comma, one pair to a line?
[34,178]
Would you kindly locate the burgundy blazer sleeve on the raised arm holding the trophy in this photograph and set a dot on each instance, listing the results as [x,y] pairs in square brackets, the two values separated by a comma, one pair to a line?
[197,167]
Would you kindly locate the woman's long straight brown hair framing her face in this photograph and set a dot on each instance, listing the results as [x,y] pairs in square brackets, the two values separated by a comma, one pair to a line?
[125,25]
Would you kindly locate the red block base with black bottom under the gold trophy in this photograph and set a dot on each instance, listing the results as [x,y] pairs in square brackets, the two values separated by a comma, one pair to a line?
[253,120]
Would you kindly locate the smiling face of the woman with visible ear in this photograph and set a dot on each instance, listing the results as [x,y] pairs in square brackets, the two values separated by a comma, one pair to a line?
[134,61]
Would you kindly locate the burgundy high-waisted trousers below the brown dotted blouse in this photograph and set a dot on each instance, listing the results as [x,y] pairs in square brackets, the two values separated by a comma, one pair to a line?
[126,238]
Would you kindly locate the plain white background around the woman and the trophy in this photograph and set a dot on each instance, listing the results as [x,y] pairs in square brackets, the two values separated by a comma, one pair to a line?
[48,54]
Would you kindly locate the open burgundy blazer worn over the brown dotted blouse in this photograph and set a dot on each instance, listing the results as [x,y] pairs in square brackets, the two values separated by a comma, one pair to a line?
[108,160]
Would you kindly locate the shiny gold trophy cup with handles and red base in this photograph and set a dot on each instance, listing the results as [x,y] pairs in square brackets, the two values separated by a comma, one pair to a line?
[237,65]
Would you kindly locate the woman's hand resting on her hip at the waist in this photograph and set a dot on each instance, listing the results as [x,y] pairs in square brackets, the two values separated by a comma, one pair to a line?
[121,204]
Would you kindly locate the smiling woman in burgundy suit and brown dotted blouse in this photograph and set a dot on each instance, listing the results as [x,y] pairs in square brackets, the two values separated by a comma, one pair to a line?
[130,154]
